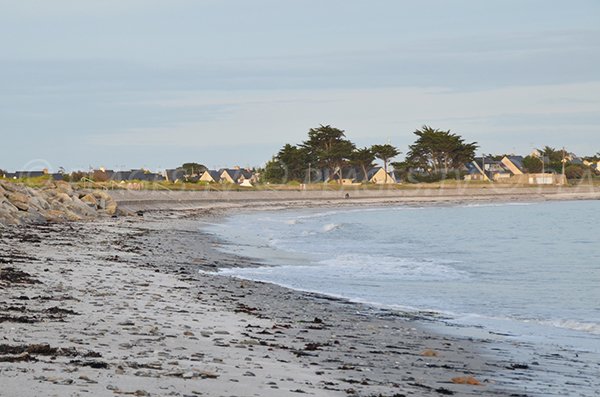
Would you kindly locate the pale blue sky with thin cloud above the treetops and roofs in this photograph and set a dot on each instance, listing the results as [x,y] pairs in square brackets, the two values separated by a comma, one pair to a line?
[155,83]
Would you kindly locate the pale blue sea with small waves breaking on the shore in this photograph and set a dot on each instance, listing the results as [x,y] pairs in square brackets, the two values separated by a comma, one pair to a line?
[528,271]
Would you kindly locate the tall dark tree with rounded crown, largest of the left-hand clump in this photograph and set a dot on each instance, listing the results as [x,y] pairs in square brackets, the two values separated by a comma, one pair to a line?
[329,147]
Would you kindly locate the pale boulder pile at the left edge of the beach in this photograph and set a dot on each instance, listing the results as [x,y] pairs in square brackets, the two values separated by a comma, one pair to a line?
[55,202]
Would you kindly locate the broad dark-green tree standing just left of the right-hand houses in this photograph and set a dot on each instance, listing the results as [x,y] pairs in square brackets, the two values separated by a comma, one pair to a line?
[439,151]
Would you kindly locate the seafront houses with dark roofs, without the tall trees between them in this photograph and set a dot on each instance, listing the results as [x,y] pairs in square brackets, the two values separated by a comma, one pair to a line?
[506,169]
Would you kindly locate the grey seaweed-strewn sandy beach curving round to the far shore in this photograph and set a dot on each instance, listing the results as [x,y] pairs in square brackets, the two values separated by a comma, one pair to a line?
[133,306]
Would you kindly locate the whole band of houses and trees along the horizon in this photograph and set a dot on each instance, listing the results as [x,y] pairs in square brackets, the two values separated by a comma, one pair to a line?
[328,157]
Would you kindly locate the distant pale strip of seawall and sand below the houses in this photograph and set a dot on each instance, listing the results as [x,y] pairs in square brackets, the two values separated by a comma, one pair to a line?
[188,200]
